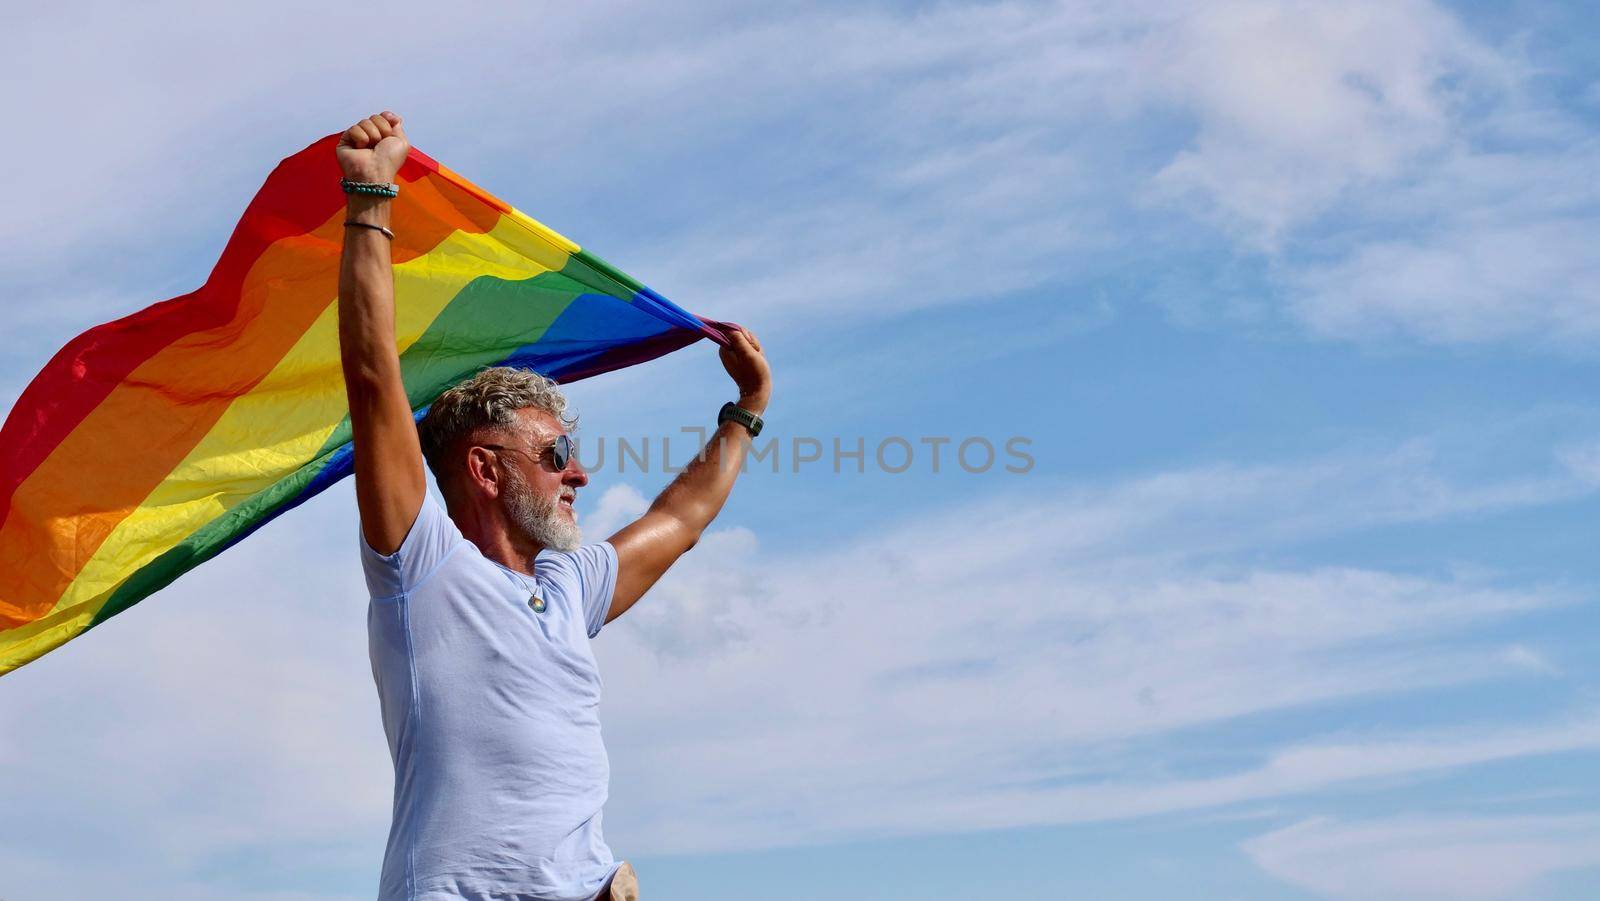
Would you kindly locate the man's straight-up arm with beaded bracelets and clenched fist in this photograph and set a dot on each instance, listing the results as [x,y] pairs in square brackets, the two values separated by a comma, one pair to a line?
[390,483]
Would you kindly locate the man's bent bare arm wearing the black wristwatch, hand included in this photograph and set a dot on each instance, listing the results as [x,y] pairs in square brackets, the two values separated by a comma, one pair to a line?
[649,547]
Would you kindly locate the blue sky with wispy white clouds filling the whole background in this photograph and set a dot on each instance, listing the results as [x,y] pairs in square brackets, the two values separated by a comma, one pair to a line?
[1294,302]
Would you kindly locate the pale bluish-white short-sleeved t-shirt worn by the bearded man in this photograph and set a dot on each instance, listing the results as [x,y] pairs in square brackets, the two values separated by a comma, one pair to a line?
[494,718]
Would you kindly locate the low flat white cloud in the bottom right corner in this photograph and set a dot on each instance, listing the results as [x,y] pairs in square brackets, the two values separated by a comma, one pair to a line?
[1428,857]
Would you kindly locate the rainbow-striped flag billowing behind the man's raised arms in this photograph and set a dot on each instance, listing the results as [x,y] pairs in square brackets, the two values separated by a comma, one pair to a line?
[151,444]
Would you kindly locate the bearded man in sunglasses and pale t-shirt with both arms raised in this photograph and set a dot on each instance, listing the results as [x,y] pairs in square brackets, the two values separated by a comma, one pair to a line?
[482,611]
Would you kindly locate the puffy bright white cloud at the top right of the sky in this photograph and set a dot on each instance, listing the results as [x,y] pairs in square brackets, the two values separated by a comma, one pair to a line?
[1298,103]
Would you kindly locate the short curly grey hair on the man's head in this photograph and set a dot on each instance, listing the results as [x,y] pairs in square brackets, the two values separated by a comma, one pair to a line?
[486,401]
